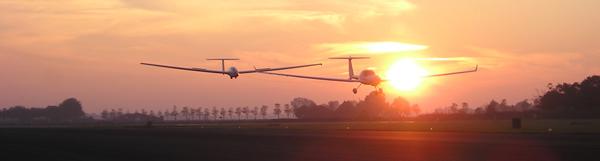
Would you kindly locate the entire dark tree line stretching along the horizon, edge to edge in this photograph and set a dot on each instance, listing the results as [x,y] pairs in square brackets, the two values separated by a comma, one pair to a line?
[565,100]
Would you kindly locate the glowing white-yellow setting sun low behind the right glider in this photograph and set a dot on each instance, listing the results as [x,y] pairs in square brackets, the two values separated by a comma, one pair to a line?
[406,74]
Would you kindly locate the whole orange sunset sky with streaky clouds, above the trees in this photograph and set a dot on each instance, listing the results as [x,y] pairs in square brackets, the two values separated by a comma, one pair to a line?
[91,49]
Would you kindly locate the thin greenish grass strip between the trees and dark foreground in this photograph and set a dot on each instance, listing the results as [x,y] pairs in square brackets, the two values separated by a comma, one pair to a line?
[486,126]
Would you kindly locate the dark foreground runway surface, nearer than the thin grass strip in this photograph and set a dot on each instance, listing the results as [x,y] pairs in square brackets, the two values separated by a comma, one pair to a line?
[192,143]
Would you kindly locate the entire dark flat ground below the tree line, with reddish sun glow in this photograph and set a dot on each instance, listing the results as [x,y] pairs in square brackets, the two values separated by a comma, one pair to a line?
[298,141]
